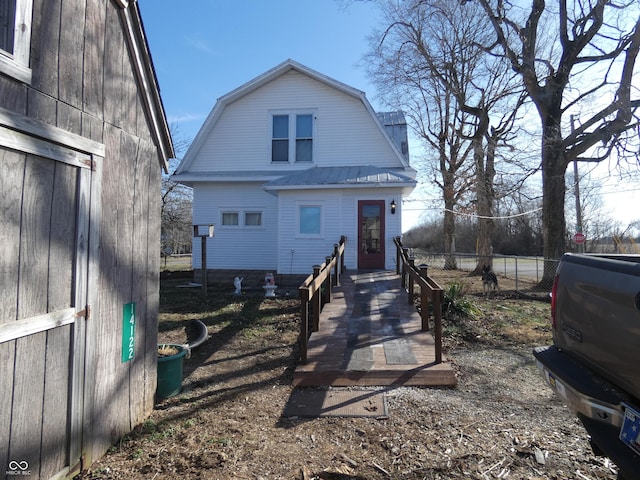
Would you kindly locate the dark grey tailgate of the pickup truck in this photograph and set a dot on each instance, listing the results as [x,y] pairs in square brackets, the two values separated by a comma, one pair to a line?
[598,301]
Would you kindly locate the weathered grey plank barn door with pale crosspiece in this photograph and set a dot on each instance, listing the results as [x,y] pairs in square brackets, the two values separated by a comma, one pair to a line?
[44,278]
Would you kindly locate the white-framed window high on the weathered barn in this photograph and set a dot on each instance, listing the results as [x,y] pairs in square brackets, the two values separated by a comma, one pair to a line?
[15,38]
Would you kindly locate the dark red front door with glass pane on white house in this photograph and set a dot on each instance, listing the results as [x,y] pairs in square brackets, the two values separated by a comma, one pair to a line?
[371,234]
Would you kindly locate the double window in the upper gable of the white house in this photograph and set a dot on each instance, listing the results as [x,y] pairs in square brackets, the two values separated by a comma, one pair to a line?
[292,137]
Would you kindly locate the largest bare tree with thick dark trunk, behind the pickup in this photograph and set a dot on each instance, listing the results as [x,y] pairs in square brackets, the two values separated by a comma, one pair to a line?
[572,56]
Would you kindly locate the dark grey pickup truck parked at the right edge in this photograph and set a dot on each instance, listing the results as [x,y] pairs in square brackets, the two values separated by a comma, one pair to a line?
[594,363]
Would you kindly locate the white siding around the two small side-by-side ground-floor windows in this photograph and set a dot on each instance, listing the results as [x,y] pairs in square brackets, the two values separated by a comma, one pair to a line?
[241,247]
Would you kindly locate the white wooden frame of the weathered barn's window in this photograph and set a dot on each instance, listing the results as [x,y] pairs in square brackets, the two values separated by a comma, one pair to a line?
[16,63]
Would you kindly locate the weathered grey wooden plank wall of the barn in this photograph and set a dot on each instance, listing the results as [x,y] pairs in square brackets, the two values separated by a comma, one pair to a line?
[83,82]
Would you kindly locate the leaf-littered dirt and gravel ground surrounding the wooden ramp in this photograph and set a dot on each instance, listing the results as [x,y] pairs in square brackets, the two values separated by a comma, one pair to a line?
[501,421]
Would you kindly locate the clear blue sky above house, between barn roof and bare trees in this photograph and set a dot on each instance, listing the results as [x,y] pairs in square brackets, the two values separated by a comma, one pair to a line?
[206,48]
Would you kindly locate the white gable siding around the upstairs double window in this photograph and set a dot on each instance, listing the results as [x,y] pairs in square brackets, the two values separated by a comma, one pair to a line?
[345,132]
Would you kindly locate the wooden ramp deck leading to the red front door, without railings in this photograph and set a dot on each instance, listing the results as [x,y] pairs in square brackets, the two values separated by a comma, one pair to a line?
[370,335]
